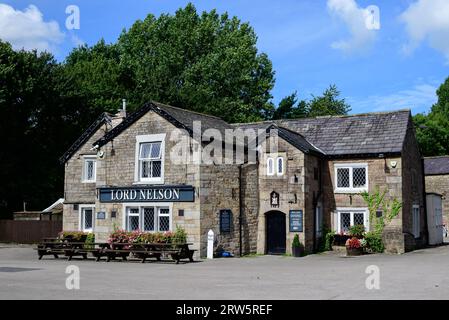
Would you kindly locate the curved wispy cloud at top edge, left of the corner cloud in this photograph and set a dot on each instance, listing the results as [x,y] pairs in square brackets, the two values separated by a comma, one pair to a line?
[361,37]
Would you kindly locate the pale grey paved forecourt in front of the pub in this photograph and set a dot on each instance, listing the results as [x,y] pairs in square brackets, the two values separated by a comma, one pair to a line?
[420,274]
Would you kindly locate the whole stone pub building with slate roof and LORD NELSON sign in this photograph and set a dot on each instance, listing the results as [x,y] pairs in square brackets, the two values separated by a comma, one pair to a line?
[125,172]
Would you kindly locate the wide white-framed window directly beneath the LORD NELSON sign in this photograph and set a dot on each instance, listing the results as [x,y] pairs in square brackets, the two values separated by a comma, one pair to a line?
[148,218]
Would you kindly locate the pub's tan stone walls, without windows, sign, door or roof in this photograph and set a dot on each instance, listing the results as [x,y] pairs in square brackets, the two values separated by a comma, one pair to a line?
[307,184]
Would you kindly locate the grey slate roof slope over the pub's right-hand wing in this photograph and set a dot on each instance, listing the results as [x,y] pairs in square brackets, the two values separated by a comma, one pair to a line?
[362,134]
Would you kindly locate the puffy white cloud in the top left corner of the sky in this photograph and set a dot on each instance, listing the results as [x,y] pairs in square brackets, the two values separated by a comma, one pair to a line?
[28,30]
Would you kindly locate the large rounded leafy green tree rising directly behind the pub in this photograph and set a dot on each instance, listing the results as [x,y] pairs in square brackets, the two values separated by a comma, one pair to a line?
[204,62]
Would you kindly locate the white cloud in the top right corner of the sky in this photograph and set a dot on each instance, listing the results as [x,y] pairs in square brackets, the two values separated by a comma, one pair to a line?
[427,20]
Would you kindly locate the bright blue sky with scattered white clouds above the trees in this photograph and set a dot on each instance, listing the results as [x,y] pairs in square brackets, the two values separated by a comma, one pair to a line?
[312,43]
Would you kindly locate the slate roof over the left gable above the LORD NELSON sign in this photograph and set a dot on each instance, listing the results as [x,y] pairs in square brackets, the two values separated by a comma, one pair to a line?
[178,117]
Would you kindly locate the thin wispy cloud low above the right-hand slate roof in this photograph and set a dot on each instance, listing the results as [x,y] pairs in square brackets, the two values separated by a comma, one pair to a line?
[419,98]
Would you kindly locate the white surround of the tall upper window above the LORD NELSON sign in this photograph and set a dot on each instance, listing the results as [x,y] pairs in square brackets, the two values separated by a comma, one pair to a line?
[148,139]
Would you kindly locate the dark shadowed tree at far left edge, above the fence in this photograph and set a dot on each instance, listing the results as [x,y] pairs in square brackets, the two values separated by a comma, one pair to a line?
[34,127]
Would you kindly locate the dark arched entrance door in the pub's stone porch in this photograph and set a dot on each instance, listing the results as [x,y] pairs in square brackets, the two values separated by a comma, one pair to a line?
[275,232]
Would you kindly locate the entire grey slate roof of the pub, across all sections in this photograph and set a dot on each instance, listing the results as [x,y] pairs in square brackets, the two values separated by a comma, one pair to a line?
[364,135]
